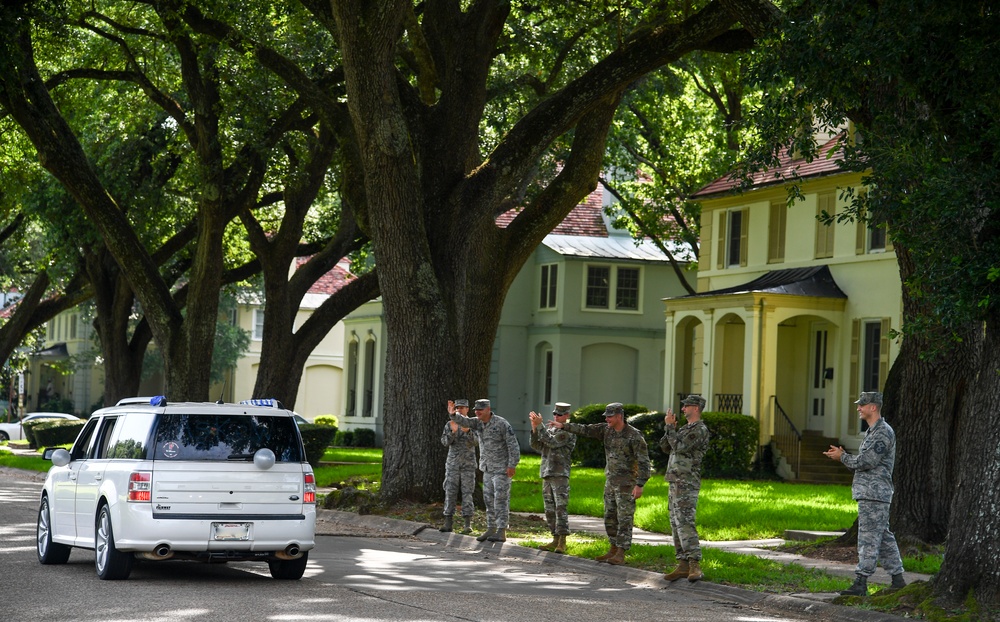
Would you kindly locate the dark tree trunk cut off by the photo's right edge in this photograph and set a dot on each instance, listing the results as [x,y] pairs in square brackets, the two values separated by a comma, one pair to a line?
[972,554]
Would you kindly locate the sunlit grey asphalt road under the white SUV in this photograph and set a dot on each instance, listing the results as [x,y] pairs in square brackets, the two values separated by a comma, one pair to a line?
[414,578]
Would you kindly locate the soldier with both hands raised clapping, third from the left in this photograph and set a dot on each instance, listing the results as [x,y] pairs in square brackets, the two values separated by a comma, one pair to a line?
[556,447]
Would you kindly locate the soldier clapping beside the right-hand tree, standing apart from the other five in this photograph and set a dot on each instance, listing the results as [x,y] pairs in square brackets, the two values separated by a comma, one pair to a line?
[872,489]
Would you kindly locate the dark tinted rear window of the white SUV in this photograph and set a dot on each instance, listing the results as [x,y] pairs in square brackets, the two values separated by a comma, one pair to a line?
[225,437]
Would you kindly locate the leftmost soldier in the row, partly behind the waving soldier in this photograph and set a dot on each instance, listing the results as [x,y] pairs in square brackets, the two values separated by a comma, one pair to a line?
[459,468]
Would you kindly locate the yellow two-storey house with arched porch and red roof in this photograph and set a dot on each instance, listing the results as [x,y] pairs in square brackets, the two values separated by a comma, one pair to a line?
[792,318]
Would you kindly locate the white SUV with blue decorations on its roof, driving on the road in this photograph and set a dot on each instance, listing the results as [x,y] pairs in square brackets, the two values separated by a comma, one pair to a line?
[211,482]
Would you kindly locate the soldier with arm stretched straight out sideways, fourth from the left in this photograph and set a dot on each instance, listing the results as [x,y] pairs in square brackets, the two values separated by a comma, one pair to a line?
[625,475]
